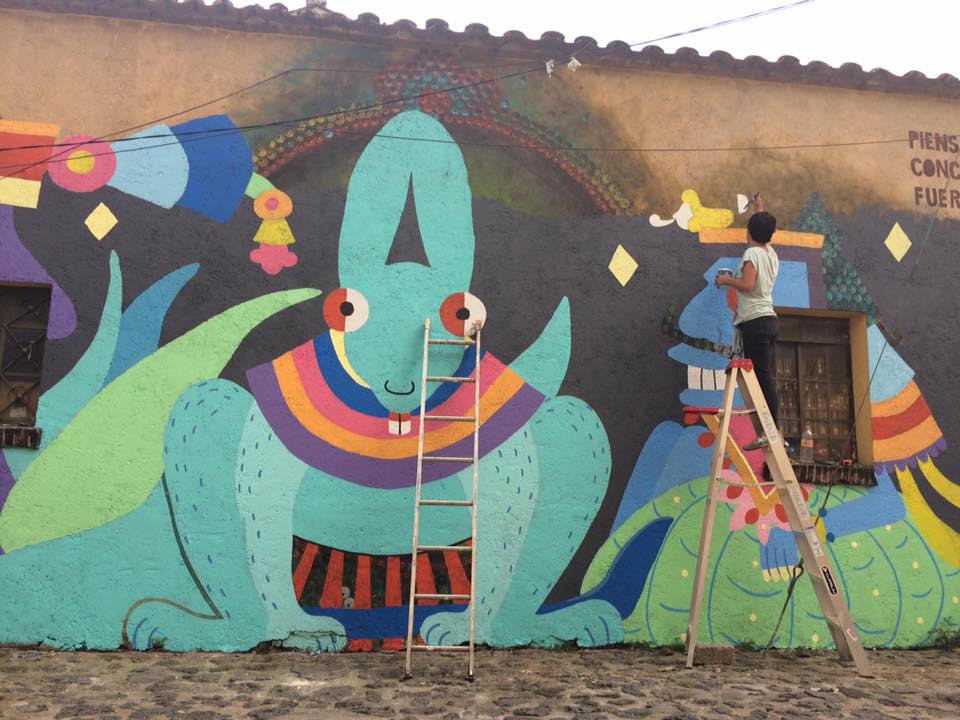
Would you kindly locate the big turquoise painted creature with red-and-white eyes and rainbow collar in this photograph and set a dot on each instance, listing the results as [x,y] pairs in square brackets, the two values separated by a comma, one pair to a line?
[323,447]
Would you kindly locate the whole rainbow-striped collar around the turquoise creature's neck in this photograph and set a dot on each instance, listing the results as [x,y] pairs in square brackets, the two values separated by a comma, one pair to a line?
[331,422]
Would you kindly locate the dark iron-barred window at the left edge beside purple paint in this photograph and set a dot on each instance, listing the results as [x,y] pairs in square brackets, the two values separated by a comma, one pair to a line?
[24,312]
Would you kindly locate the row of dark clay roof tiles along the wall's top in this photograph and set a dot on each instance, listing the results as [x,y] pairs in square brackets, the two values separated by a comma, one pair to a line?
[511,46]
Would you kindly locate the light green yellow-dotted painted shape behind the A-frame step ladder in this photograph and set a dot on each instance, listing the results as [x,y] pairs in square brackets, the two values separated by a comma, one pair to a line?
[899,593]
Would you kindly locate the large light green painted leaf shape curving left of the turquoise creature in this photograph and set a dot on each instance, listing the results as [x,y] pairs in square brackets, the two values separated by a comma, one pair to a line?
[109,458]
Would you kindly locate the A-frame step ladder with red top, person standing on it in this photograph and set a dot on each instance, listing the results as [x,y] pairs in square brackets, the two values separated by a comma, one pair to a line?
[826,583]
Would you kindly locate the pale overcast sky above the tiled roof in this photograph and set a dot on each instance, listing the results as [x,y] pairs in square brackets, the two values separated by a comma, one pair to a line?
[892,34]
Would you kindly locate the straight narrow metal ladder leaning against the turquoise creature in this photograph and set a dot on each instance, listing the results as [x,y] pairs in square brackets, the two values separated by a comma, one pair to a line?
[472,340]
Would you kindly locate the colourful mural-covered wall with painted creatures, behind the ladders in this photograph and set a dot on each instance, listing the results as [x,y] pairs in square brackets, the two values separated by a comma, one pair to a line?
[230,408]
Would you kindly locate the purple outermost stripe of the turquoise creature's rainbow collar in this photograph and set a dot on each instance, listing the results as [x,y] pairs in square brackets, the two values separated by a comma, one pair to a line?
[377,472]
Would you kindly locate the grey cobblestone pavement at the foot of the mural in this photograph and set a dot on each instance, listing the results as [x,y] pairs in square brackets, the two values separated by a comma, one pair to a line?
[616,683]
